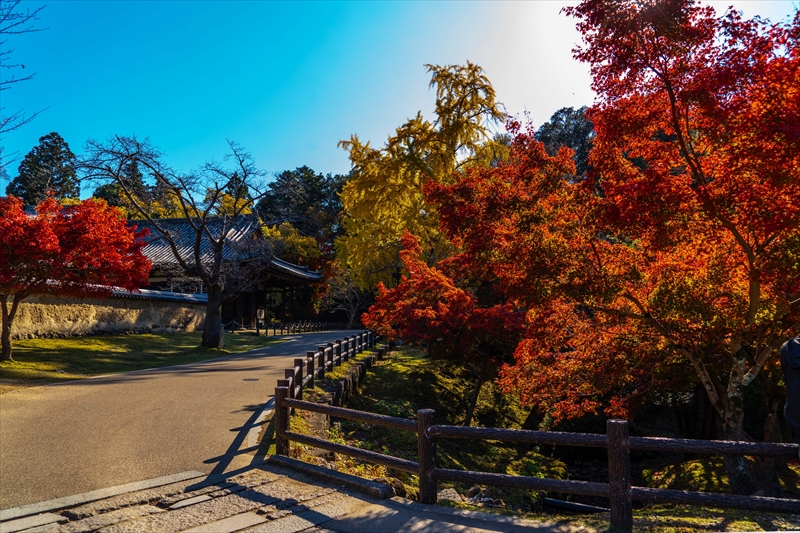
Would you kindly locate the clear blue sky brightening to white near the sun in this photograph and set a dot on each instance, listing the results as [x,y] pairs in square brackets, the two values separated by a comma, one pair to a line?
[287,80]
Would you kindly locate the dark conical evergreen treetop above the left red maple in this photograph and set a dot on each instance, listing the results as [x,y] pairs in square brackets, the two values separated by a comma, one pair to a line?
[50,166]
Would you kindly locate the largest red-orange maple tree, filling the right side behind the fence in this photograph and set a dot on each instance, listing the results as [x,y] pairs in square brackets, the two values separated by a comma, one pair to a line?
[677,261]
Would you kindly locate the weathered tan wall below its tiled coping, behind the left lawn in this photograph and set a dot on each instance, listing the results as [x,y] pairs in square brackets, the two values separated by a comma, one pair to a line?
[48,316]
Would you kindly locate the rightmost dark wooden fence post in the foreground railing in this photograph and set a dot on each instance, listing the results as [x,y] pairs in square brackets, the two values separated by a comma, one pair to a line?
[619,475]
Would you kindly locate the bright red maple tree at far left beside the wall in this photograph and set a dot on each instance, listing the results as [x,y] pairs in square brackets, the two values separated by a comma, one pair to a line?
[82,250]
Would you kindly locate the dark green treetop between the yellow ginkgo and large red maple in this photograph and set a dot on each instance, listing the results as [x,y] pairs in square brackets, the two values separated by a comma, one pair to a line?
[569,127]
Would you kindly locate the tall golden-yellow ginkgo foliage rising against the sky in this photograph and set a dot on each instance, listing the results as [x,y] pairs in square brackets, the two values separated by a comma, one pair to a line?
[384,195]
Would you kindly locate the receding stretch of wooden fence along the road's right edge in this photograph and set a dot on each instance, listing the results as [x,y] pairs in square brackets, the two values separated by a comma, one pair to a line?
[316,363]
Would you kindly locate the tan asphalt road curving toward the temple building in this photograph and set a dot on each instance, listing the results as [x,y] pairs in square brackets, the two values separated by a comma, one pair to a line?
[69,438]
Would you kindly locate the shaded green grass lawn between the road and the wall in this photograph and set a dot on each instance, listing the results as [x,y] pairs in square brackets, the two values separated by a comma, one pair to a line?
[41,361]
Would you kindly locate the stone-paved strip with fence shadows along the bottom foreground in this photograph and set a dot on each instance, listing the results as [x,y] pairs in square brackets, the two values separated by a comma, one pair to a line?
[262,499]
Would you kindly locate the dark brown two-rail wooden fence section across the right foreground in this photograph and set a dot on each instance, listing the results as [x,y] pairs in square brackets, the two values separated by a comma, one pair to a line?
[616,440]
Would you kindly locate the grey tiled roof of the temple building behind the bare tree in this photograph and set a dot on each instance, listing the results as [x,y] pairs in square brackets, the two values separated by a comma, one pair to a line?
[183,234]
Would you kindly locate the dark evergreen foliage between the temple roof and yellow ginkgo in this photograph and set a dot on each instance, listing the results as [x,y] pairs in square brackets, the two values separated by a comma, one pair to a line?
[307,200]
